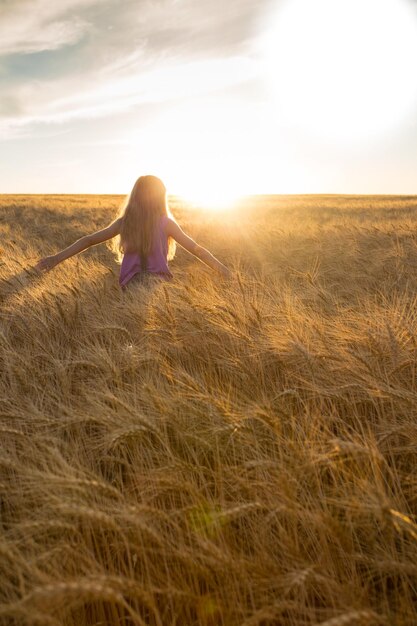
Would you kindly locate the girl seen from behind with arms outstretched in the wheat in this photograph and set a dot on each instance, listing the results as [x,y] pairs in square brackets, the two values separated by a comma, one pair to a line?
[146,236]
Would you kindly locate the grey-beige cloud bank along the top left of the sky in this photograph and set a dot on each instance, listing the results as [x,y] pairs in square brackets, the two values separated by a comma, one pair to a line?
[180,26]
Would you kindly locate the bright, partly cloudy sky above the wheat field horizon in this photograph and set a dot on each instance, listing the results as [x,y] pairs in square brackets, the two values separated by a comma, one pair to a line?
[219,98]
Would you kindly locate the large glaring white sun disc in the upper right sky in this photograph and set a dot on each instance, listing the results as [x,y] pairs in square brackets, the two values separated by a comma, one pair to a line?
[342,70]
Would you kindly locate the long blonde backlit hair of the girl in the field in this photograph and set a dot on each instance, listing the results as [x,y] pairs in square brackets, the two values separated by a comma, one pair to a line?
[141,213]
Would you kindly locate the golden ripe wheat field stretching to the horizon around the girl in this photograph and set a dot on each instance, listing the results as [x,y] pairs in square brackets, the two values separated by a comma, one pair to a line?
[208,452]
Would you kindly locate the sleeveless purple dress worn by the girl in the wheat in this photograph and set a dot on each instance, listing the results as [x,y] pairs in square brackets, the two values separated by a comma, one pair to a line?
[157,262]
